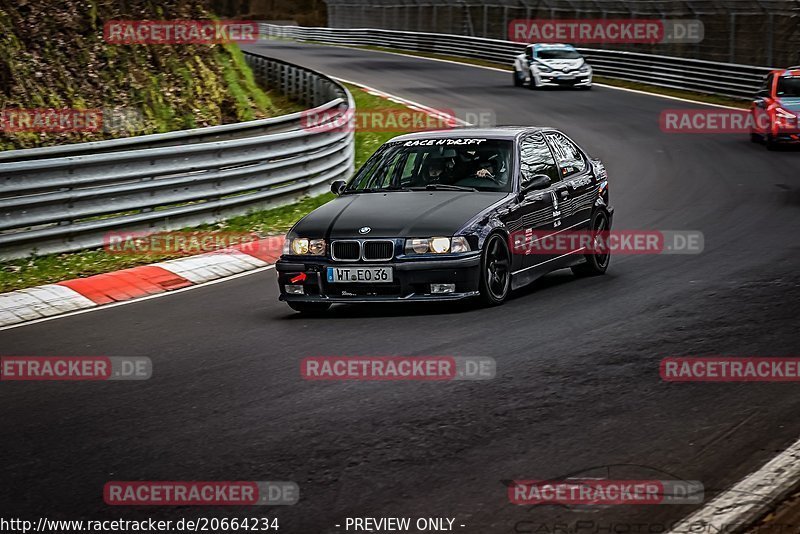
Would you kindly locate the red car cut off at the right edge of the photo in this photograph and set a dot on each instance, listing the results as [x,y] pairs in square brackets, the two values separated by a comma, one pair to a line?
[776,108]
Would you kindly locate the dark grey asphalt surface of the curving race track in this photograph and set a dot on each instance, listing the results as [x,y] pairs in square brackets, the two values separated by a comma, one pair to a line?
[577,384]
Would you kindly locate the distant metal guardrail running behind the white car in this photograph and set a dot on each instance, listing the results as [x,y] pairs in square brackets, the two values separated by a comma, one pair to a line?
[724,79]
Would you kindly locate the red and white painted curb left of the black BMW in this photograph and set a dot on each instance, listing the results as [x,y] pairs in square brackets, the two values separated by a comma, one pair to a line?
[81,293]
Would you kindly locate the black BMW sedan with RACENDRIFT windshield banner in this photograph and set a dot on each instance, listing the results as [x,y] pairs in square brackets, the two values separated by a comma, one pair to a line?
[441,216]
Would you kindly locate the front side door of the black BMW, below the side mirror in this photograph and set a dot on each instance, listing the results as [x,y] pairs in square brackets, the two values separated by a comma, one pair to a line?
[534,214]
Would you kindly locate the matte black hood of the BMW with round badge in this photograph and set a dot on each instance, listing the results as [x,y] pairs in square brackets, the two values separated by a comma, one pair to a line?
[395,214]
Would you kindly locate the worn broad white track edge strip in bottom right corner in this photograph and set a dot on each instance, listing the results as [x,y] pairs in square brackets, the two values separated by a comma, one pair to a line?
[749,499]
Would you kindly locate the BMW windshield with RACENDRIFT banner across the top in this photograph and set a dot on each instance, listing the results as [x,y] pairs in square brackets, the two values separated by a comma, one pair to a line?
[472,164]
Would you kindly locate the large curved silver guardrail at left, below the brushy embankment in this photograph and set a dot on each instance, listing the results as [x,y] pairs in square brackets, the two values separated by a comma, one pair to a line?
[67,198]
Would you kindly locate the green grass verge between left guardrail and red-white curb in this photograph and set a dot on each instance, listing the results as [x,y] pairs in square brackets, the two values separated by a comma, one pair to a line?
[35,270]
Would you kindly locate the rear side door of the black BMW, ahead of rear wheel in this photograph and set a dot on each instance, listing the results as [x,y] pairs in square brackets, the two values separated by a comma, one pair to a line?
[574,195]
